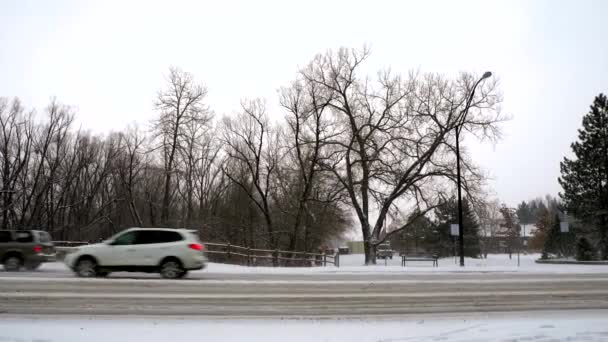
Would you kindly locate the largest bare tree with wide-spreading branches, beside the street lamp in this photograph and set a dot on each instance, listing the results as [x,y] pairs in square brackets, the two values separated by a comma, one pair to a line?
[395,152]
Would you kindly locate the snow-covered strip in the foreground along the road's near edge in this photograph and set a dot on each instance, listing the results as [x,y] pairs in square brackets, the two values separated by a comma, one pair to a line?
[539,327]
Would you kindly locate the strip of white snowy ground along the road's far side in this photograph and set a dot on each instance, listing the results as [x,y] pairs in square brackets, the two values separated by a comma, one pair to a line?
[354,263]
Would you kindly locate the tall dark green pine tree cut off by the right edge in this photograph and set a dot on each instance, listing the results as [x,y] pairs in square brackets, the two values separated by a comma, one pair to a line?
[584,179]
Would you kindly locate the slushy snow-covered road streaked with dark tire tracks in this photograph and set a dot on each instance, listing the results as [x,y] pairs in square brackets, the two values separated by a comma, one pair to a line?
[320,295]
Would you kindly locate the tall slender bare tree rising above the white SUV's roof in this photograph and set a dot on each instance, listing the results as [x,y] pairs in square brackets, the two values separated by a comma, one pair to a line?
[181,104]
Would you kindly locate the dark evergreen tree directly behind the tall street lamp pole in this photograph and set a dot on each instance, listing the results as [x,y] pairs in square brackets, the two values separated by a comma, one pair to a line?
[446,215]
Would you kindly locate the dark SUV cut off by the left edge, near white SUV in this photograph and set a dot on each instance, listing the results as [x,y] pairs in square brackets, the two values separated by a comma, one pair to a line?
[25,248]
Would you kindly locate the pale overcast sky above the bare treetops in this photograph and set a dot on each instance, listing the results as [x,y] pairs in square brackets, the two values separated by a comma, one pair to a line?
[108,58]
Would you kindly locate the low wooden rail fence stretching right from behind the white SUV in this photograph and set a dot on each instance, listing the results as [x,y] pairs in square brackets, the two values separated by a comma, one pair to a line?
[231,254]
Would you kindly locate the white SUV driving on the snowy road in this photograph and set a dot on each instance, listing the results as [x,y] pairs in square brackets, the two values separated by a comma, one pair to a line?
[171,252]
